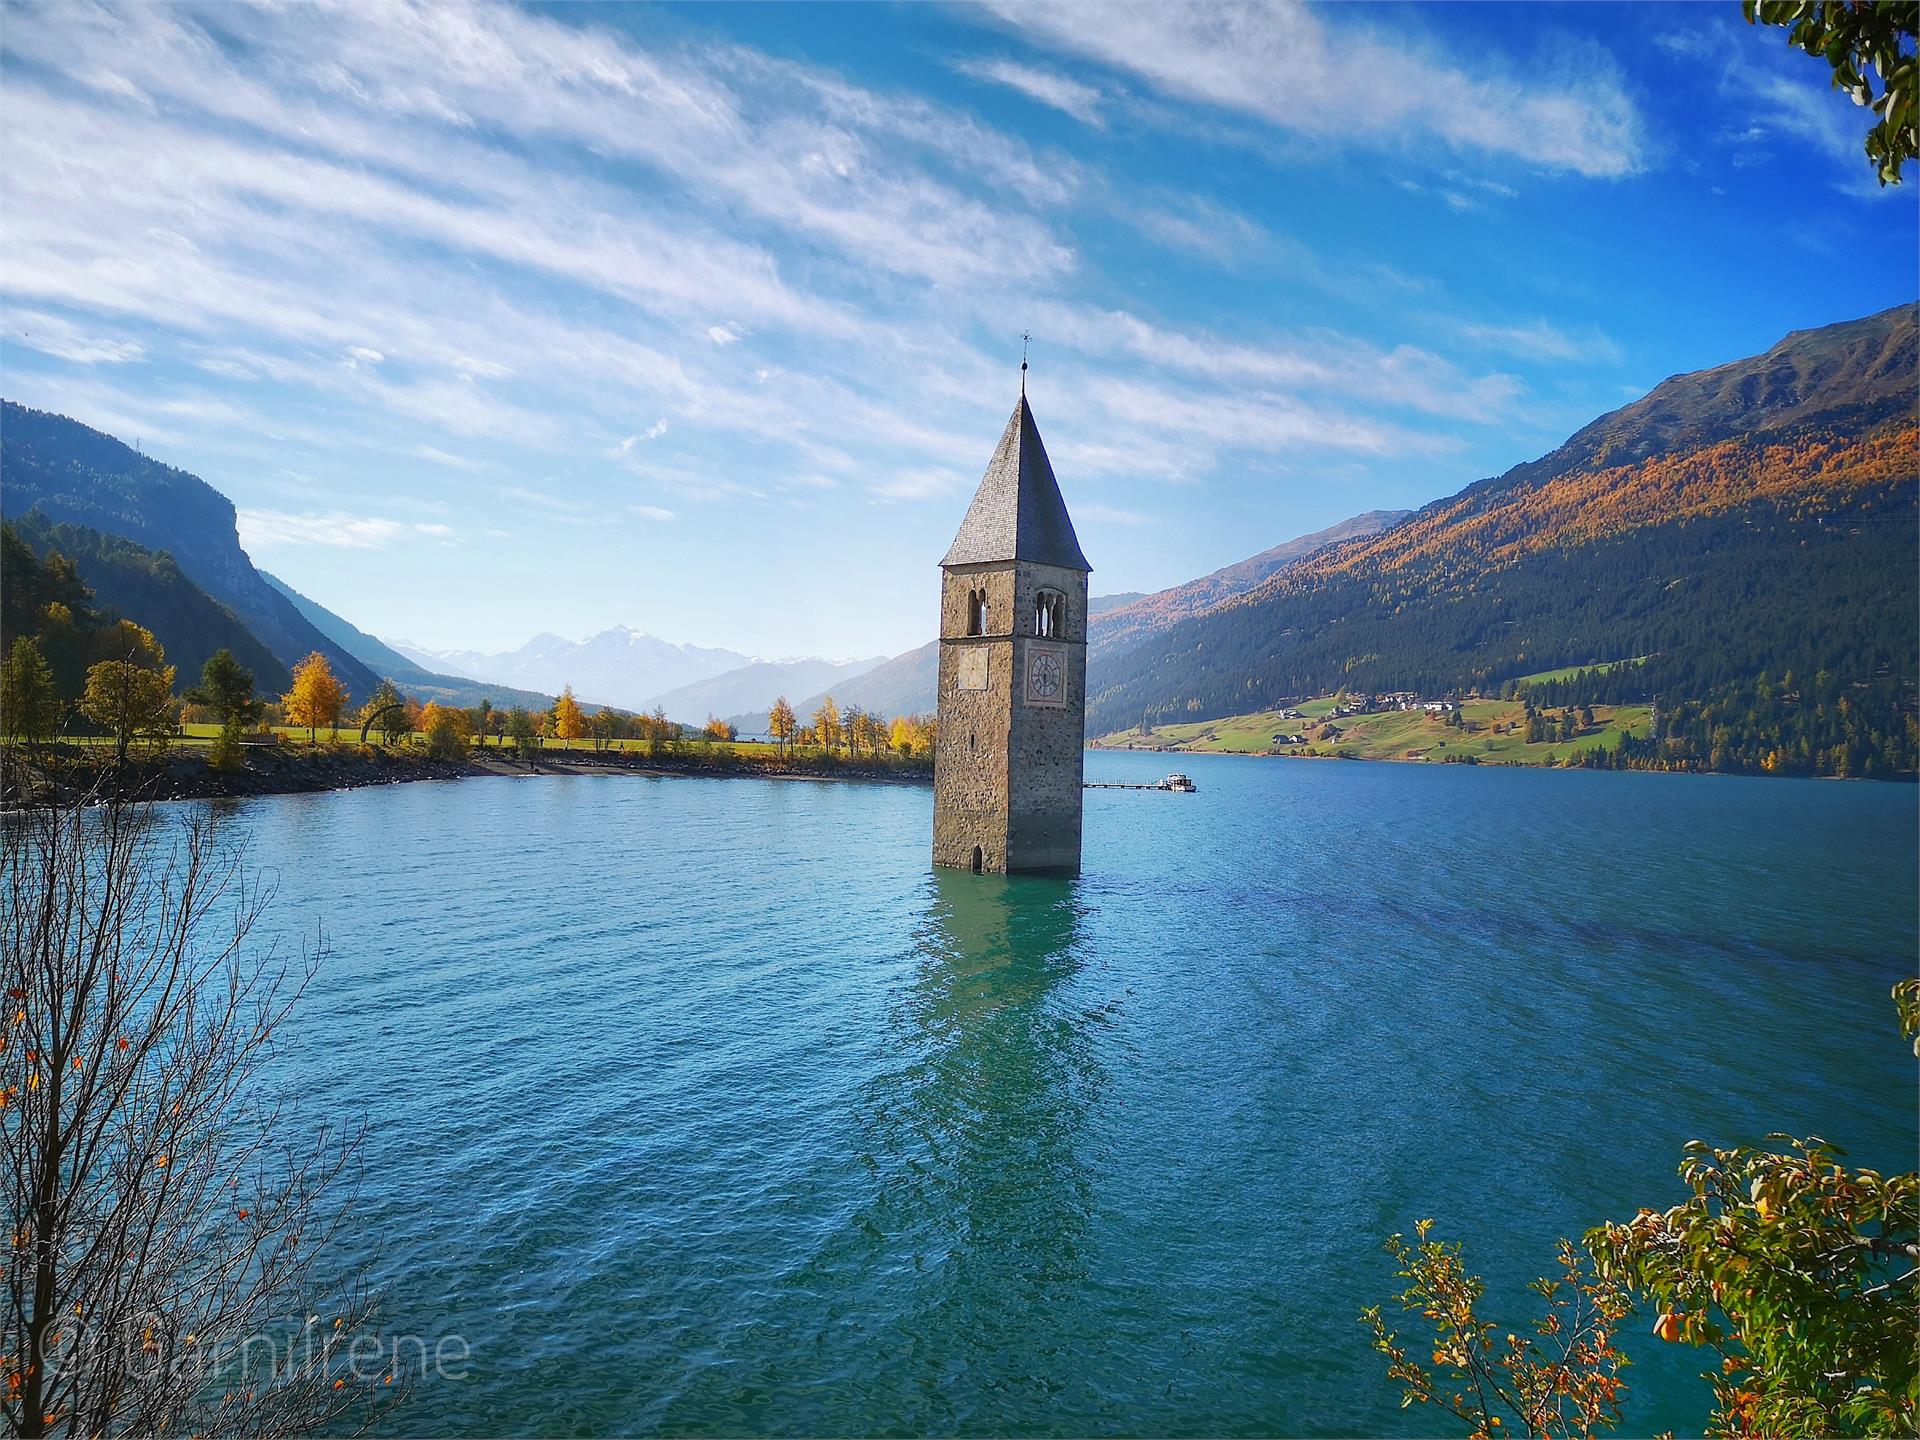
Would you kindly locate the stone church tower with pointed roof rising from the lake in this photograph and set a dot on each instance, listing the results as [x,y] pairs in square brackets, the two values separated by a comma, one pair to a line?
[1013,694]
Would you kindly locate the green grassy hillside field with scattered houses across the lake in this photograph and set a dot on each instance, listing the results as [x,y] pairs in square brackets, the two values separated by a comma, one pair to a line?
[1393,734]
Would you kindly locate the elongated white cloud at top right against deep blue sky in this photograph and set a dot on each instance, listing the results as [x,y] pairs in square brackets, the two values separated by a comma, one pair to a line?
[1347,82]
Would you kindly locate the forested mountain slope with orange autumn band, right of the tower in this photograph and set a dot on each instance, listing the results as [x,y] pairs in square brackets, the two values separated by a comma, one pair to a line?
[1742,523]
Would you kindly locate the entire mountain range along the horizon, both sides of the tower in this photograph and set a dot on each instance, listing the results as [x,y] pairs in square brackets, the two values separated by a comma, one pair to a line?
[1737,546]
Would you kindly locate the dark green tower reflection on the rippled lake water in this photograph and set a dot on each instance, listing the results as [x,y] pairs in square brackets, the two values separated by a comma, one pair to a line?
[982,1153]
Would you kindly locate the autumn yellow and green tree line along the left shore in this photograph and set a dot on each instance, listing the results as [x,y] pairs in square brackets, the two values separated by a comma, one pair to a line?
[85,692]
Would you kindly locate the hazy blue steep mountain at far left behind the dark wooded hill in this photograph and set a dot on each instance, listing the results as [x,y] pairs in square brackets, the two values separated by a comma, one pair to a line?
[84,477]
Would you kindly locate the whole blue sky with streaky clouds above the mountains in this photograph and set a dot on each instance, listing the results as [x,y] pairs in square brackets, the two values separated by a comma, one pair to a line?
[706,320]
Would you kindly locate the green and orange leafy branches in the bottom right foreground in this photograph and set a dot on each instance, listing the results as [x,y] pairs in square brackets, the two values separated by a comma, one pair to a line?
[1798,1272]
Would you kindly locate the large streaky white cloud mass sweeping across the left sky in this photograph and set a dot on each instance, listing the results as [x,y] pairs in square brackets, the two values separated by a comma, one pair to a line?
[345,212]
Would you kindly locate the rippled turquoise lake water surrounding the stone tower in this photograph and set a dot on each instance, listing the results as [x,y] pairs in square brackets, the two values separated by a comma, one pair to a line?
[706,1109]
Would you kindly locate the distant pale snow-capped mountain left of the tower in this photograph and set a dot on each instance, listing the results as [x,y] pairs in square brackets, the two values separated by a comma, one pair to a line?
[617,667]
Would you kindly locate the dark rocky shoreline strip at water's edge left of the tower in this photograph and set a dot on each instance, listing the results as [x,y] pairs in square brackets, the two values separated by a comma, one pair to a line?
[183,775]
